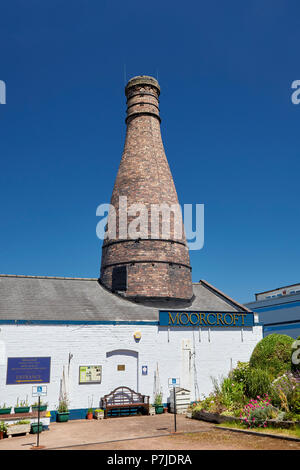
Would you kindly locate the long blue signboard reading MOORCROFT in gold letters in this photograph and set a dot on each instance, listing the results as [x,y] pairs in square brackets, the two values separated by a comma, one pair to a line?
[206,319]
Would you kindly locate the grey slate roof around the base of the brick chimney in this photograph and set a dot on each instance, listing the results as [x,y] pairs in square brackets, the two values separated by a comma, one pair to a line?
[76,299]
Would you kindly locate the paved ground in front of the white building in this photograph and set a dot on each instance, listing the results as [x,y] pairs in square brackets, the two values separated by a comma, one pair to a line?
[144,432]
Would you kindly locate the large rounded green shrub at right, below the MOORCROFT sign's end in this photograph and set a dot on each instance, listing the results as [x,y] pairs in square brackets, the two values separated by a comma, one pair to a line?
[273,353]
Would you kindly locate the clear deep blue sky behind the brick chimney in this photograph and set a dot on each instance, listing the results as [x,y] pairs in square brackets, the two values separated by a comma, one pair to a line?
[230,130]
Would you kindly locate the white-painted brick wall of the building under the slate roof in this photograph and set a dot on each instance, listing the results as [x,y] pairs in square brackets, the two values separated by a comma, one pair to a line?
[214,353]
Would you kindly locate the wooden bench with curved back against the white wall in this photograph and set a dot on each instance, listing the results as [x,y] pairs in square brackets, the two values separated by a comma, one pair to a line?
[124,397]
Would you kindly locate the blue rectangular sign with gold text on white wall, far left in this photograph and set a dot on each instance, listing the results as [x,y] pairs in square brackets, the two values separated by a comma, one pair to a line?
[21,370]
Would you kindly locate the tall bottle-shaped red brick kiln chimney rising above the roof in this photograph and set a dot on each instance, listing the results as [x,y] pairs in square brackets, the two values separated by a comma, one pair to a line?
[145,269]
